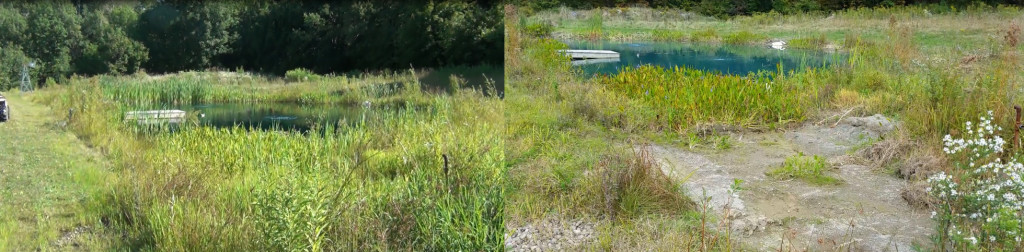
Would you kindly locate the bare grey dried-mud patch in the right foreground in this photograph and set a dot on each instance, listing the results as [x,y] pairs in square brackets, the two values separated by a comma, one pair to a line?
[866,214]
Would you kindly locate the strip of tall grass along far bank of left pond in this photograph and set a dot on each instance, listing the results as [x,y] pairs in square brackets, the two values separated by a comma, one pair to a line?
[192,89]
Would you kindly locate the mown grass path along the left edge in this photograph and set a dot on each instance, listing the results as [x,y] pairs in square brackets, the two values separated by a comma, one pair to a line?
[46,175]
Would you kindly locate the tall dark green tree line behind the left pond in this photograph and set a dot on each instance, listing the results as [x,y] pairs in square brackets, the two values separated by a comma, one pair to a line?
[123,37]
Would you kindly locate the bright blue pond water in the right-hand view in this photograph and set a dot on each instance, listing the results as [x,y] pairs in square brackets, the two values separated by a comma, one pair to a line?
[732,60]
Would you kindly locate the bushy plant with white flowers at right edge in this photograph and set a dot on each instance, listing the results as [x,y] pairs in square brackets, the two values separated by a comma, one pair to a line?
[983,198]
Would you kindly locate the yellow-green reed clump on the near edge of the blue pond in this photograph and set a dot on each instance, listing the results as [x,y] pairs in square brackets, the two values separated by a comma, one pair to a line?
[682,96]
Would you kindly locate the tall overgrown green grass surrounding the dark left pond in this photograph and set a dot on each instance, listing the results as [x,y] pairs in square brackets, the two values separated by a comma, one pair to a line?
[426,177]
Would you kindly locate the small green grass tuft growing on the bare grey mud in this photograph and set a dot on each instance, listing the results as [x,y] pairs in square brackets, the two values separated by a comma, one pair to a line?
[813,170]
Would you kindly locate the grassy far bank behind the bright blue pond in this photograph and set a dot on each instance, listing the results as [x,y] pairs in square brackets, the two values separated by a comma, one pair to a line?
[932,29]
